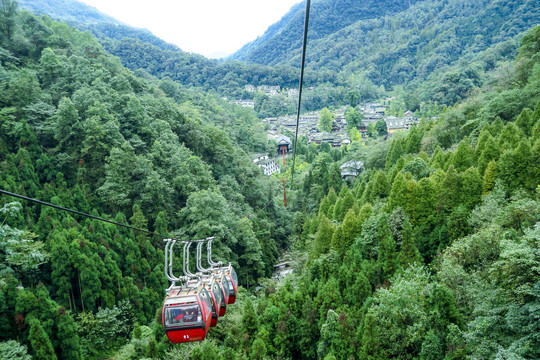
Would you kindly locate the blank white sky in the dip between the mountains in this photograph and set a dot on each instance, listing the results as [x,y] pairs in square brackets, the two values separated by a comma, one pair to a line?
[213,28]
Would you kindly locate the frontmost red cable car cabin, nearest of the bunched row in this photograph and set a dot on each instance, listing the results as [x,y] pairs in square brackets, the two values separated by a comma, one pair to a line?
[187,314]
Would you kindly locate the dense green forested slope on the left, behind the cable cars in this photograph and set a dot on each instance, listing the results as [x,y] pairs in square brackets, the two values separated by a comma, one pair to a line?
[79,130]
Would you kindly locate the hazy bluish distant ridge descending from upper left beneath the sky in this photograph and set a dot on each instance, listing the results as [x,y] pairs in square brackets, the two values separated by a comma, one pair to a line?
[140,49]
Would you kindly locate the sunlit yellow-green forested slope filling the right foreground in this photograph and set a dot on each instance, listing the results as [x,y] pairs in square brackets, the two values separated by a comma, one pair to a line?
[433,252]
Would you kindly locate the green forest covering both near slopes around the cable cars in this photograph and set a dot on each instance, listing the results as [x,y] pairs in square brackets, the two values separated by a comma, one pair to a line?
[432,252]
